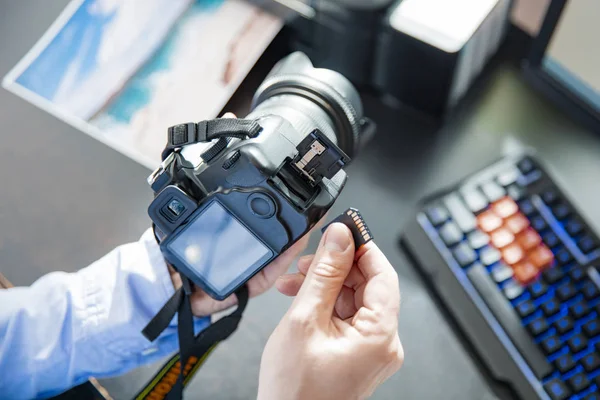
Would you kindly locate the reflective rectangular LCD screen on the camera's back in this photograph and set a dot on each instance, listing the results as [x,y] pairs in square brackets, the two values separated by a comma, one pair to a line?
[218,248]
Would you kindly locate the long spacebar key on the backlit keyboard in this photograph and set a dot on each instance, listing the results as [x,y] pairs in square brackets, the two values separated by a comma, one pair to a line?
[509,320]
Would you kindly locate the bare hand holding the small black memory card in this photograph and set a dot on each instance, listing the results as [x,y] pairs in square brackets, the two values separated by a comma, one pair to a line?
[339,339]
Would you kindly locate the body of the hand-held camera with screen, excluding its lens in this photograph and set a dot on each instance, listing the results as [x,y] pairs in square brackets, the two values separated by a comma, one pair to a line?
[251,199]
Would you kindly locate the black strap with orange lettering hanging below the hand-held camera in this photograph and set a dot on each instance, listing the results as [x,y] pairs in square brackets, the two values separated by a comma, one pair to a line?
[171,379]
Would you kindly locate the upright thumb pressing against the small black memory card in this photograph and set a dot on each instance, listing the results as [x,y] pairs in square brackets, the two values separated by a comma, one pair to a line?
[327,273]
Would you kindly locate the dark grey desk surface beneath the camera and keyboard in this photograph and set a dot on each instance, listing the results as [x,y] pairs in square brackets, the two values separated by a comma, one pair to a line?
[67,199]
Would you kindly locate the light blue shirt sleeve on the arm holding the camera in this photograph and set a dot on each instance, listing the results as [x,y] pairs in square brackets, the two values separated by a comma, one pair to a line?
[66,327]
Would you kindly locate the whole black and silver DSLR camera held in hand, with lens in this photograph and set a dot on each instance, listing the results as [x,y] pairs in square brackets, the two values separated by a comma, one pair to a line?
[233,194]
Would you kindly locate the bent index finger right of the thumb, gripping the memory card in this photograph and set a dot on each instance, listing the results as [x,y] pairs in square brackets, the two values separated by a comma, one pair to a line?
[382,291]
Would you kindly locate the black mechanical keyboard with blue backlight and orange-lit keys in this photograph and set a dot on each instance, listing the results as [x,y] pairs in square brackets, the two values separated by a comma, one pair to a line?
[517,268]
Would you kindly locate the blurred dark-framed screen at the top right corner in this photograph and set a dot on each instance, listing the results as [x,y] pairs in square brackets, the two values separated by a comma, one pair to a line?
[564,60]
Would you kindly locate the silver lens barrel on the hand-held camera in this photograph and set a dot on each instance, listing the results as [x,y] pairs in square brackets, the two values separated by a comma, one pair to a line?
[312,98]
